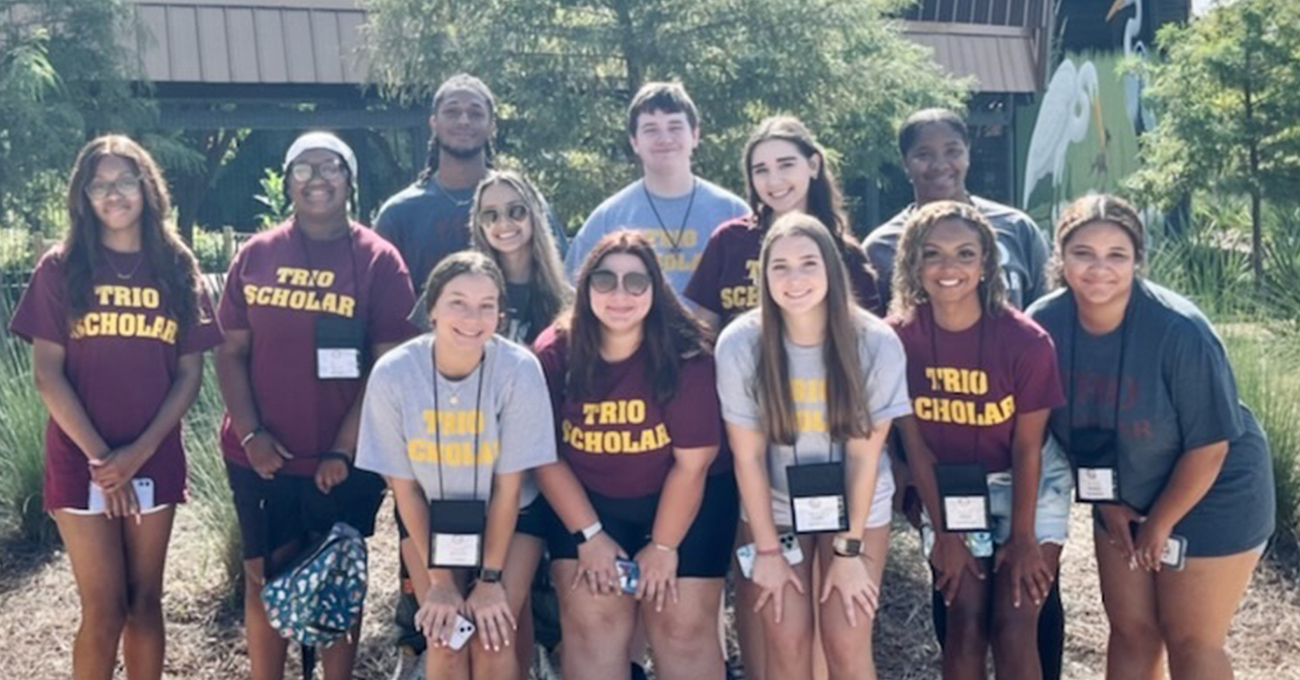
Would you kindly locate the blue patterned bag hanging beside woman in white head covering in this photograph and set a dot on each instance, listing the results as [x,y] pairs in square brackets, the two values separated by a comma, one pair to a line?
[317,600]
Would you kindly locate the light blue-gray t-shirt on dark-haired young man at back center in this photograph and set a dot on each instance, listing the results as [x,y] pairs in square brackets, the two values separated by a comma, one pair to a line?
[631,210]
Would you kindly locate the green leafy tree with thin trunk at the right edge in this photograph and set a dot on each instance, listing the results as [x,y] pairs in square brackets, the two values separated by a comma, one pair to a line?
[1228,99]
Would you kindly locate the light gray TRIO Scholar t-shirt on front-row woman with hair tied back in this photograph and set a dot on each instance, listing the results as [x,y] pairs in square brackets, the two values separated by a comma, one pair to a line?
[515,427]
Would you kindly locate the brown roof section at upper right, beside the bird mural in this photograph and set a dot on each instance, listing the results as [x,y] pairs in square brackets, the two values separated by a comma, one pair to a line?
[1002,59]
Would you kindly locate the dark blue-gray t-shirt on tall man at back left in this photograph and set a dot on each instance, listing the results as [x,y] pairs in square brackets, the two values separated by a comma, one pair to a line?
[428,223]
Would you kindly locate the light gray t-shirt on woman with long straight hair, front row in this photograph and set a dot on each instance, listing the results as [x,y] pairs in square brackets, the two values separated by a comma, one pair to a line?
[882,358]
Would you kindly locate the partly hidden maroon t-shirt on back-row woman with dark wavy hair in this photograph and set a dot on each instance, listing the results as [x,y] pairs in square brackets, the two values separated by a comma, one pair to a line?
[726,280]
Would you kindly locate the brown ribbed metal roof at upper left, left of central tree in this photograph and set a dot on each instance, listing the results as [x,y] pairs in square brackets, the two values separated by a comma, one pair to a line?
[252,41]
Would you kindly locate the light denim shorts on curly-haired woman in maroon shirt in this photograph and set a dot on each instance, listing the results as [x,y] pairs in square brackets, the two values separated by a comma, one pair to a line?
[1052,517]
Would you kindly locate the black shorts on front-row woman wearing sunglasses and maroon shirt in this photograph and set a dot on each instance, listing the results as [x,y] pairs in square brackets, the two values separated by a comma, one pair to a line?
[705,553]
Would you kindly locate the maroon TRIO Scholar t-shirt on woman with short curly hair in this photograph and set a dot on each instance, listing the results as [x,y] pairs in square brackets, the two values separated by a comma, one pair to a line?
[968,388]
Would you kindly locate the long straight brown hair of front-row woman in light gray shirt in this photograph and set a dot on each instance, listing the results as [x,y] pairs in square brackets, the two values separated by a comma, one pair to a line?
[846,384]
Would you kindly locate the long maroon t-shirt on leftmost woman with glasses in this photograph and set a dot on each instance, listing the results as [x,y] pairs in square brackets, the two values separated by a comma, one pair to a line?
[122,360]
